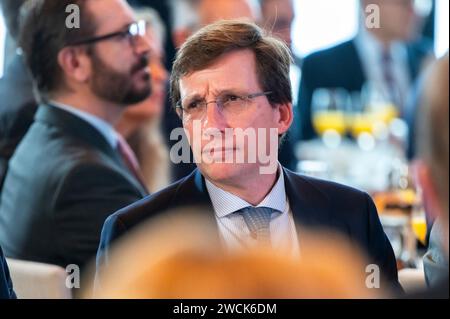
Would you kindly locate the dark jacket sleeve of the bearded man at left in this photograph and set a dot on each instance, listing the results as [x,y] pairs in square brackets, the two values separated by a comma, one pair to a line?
[87,196]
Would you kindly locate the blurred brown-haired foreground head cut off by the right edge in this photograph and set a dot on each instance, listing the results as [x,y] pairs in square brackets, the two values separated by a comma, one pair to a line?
[433,128]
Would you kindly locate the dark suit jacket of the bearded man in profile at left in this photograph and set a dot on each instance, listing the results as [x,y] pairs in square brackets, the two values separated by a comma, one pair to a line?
[63,181]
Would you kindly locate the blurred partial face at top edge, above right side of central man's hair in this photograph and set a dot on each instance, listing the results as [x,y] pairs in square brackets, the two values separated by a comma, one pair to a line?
[277,17]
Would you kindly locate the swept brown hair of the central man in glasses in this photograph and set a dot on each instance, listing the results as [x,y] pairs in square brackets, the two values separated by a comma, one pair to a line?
[272,56]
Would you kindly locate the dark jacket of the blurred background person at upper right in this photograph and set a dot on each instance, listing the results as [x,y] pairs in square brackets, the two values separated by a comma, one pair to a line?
[341,67]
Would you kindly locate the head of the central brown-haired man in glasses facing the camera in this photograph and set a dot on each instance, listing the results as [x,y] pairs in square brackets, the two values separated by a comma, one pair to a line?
[246,72]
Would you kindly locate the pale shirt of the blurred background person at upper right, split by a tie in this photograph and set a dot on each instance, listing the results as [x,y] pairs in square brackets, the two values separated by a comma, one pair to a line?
[370,50]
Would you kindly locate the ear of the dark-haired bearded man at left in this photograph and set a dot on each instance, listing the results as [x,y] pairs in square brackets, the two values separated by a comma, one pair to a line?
[75,63]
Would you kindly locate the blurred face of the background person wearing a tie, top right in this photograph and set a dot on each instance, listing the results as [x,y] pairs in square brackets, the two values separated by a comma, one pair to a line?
[398,19]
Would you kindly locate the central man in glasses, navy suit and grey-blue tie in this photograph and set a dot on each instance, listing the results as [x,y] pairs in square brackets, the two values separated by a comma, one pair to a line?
[227,77]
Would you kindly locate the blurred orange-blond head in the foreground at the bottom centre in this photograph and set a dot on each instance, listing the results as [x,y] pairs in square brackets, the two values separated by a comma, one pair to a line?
[155,262]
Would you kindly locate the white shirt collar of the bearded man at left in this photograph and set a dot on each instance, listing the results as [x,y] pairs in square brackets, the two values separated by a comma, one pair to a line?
[105,129]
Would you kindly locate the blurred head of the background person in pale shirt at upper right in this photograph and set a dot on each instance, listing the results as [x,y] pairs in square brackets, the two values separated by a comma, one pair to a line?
[398,20]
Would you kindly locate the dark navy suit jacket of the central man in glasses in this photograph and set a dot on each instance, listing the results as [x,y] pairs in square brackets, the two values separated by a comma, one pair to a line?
[314,203]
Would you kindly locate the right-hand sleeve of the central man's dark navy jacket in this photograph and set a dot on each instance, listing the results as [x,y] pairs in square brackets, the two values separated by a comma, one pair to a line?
[379,247]
